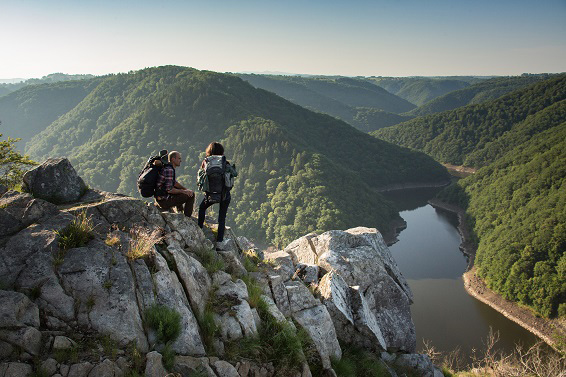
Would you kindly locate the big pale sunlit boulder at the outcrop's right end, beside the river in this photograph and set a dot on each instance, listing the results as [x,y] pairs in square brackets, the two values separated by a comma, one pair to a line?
[364,290]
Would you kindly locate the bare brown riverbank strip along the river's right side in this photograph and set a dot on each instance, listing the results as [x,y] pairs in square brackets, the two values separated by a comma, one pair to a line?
[551,331]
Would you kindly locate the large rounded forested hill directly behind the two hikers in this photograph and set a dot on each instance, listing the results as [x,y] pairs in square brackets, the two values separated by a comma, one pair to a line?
[299,171]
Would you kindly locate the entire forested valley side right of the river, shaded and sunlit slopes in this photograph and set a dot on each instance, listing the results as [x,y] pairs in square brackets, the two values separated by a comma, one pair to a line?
[516,203]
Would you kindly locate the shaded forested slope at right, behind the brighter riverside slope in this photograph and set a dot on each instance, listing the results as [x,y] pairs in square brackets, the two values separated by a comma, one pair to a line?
[454,135]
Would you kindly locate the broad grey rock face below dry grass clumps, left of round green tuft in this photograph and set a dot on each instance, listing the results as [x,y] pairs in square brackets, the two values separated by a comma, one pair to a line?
[102,284]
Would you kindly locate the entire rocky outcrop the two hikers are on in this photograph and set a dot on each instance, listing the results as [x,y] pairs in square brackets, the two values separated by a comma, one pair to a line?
[61,298]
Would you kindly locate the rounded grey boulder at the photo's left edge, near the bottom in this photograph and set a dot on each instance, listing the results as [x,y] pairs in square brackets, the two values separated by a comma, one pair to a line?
[17,310]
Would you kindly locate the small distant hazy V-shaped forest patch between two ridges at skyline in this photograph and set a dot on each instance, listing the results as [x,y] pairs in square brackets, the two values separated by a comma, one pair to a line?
[420,90]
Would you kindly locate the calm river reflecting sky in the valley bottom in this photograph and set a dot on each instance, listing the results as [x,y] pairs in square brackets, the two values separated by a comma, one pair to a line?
[428,255]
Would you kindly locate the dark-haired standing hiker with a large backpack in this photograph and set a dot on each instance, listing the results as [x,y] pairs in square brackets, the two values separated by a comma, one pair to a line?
[216,178]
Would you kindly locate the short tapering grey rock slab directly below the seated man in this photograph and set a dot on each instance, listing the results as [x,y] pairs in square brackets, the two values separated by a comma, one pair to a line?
[193,276]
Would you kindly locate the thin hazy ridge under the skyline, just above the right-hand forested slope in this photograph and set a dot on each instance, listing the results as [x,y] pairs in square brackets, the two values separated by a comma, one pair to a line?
[482,91]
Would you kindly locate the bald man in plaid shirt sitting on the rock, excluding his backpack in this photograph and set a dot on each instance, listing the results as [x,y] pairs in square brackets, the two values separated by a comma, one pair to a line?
[169,192]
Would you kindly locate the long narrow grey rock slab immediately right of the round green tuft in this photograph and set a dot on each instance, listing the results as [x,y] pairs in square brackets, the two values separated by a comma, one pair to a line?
[170,293]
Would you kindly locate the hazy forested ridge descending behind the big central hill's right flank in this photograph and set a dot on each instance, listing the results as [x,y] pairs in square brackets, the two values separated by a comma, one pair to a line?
[361,104]
